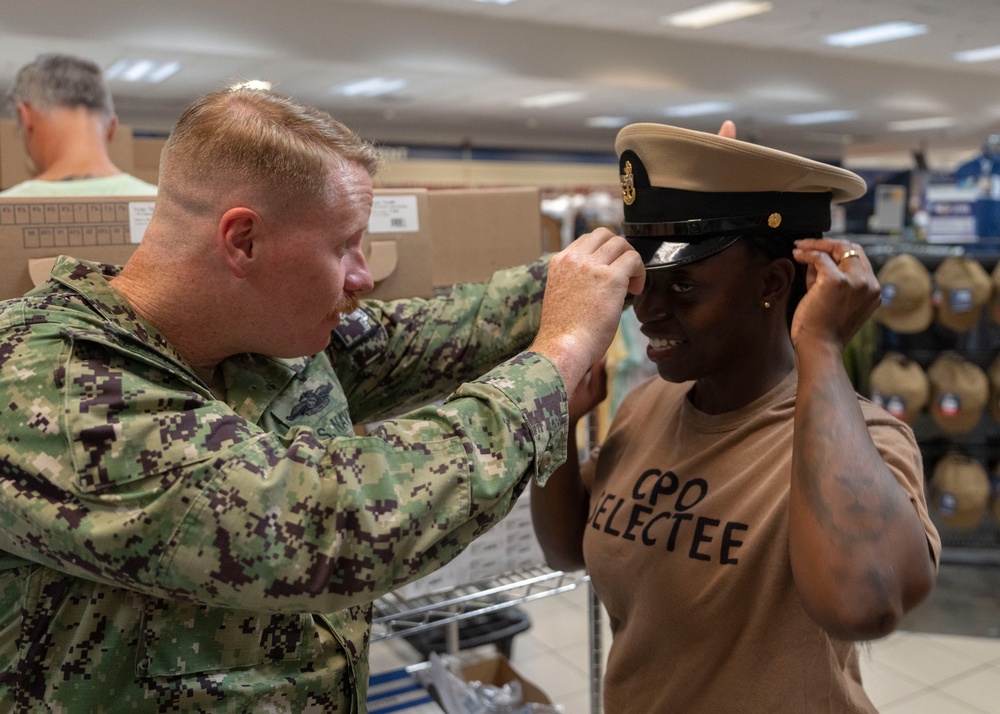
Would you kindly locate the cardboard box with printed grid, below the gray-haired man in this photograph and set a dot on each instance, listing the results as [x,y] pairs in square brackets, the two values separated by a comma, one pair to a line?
[34,231]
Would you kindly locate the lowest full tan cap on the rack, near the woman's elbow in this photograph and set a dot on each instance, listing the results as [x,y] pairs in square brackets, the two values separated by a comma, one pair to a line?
[959,491]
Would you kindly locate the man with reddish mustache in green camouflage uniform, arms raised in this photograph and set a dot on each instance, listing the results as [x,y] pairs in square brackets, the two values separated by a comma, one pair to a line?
[181,489]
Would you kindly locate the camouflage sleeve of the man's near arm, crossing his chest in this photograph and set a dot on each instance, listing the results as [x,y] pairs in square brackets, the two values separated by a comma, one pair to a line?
[117,471]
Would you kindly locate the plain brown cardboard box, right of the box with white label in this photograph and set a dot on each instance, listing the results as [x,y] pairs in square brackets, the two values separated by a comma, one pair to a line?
[475,232]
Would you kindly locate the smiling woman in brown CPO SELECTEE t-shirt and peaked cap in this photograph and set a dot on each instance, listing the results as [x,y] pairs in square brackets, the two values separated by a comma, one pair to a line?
[749,518]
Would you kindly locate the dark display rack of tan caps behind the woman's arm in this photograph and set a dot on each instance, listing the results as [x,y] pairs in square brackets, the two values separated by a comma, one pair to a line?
[937,367]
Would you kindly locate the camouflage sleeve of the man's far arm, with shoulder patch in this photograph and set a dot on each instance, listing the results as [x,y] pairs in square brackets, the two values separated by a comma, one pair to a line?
[406,353]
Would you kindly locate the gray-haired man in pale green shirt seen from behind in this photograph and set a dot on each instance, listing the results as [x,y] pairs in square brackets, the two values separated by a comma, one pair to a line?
[67,120]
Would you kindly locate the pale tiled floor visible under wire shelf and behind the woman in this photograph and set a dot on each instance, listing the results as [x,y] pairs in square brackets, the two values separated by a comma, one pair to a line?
[945,659]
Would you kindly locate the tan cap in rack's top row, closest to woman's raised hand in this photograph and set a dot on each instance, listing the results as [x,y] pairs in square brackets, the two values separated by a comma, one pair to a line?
[906,295]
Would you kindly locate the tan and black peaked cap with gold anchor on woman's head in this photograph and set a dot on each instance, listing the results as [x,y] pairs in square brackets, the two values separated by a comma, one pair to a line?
[689,194]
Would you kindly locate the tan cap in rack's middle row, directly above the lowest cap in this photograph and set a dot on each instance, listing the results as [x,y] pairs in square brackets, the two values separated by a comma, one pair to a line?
[959,392]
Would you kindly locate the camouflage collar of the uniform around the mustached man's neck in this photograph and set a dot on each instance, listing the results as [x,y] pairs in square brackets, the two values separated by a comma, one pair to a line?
[91,280]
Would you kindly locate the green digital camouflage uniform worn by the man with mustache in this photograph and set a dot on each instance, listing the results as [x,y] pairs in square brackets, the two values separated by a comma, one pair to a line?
[164,550]
